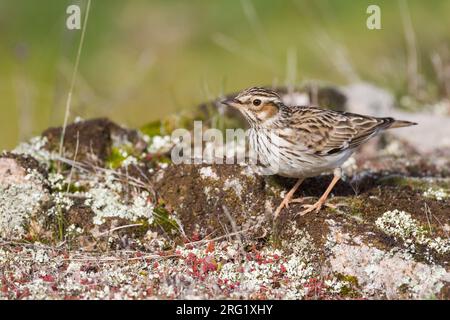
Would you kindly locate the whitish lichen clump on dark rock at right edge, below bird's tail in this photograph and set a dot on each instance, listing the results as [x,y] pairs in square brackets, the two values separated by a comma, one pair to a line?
[401,225]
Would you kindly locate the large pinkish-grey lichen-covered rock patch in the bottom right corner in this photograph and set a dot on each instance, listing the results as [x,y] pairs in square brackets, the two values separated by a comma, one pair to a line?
[393,273]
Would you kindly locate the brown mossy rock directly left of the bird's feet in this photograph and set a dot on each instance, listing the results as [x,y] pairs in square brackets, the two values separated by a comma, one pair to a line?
[209,199]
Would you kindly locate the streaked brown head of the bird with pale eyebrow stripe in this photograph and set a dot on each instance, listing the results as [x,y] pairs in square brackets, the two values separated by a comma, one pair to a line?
[258,105]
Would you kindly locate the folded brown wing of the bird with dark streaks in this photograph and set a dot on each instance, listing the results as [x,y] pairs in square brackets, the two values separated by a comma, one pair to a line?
[324,132]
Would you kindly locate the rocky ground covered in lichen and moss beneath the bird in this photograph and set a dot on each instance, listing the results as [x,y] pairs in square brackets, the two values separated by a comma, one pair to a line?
[114,218]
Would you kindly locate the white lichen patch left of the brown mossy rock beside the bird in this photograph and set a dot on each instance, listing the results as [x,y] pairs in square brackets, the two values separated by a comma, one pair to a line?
[105,199]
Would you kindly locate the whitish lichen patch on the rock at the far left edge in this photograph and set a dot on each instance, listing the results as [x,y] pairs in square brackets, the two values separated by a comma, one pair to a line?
[18,202]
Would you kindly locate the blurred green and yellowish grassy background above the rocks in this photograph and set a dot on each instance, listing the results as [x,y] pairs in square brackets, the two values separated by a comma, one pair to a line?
[145,59]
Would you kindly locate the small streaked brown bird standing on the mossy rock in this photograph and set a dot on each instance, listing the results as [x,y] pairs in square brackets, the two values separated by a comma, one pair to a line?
[308,140]
